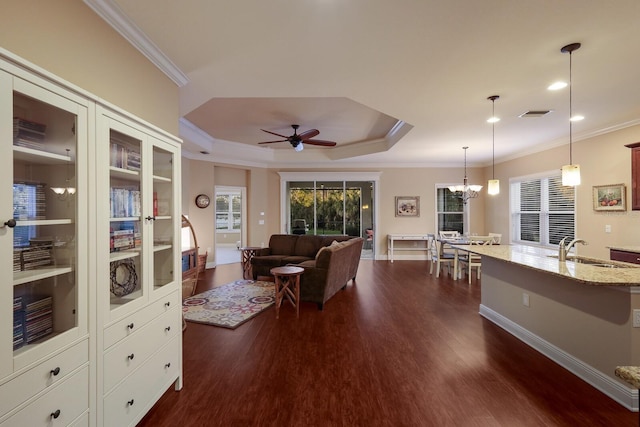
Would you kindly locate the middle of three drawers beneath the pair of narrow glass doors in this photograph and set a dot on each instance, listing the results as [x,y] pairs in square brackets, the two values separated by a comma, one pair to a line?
[127,355]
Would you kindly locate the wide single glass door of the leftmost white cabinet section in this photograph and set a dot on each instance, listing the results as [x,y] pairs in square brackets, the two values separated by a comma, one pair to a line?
[45,137]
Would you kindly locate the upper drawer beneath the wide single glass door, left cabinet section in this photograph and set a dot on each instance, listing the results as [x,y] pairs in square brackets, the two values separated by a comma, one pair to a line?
[42,376]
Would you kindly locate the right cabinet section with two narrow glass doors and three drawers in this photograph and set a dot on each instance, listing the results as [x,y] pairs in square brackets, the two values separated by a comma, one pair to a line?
[140,348]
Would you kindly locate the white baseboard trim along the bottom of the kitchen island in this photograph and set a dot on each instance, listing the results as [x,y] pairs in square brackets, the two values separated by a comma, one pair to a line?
[626,396]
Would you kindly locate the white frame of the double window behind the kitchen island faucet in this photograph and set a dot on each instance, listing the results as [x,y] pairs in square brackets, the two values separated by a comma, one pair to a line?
[545,212]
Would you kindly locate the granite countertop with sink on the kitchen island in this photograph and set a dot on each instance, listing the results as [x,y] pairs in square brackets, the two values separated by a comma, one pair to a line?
[540,259]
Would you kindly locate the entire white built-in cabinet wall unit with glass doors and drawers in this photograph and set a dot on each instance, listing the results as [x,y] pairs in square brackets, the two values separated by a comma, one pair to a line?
[90,317]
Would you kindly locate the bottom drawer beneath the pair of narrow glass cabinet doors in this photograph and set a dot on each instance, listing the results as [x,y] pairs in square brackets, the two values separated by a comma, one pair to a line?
[128,402]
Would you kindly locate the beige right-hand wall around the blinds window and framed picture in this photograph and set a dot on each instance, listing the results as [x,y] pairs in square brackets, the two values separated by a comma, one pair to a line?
[603,160]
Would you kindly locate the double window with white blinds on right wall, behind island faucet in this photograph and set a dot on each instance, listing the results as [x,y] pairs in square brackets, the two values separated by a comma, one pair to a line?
[542,210]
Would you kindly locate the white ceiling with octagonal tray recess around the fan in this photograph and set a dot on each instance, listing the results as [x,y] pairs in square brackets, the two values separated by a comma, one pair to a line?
[401,82]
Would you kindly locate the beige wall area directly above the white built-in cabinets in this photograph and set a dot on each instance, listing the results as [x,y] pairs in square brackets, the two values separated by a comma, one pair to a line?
[66,38]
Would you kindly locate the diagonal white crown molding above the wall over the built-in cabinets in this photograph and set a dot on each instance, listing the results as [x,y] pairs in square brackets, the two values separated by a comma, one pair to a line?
[111,13]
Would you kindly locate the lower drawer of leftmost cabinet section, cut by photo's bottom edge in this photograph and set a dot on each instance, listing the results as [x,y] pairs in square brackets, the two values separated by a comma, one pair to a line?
[68,400]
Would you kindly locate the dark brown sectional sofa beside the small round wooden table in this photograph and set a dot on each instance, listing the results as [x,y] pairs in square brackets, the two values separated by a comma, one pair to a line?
[328,266]
